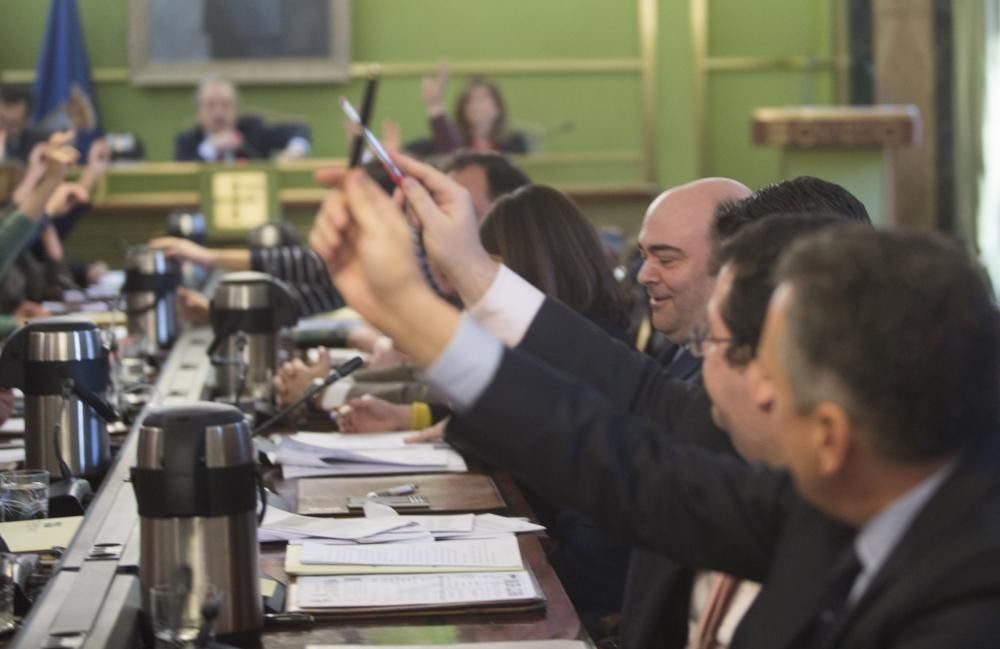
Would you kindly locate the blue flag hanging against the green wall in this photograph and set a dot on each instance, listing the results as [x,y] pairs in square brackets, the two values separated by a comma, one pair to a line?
[63,96]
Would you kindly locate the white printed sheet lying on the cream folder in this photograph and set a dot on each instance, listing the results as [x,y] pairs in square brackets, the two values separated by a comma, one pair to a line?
[501,552]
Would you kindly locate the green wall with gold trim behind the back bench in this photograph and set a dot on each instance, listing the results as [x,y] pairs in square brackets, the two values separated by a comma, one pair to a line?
[581,112]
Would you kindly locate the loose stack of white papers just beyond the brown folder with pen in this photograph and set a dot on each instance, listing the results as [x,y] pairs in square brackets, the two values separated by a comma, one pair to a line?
[320,454]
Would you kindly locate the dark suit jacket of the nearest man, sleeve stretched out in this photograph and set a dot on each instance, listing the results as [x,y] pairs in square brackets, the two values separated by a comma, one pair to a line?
[939,588]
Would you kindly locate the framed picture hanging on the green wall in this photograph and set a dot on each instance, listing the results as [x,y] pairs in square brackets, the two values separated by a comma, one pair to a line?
[175,42]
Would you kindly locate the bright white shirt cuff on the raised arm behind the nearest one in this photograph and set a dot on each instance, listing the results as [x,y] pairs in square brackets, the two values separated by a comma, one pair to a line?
[508,307]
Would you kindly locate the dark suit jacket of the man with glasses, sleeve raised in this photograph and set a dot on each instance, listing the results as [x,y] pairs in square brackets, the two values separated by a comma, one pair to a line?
[667,391]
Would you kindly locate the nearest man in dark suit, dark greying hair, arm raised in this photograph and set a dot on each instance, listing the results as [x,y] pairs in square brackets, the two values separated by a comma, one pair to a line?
[889,432]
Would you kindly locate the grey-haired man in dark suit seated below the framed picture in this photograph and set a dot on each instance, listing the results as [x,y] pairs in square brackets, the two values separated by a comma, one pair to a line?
[224,136]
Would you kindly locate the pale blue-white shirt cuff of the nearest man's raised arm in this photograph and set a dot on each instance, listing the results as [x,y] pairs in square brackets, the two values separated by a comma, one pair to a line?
[465,369]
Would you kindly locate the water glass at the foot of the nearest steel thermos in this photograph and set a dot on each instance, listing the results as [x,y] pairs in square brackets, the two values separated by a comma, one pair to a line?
[176,613]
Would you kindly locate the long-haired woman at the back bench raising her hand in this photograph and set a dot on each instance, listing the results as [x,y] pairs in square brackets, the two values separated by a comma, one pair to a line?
[480,117]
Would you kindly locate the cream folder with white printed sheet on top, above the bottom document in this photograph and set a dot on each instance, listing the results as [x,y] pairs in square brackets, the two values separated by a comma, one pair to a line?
[482,555]
